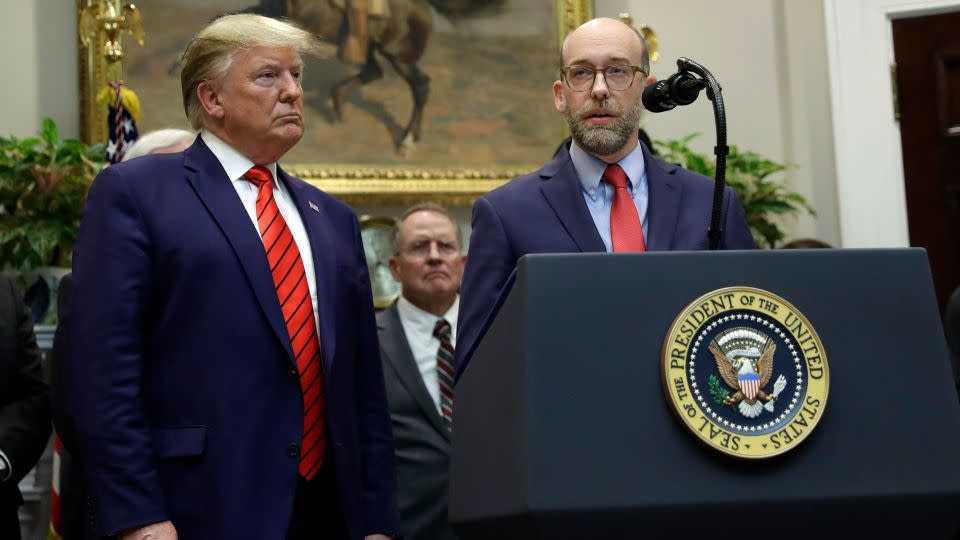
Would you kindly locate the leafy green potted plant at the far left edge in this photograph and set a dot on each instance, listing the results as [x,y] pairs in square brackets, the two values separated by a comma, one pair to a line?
[43,185]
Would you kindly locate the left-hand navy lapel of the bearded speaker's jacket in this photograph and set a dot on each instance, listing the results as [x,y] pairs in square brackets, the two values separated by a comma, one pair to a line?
[561,188]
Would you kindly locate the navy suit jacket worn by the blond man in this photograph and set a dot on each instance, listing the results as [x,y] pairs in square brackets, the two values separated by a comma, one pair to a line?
[182,382]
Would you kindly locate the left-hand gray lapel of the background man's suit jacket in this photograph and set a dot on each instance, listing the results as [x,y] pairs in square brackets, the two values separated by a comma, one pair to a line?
[396,349]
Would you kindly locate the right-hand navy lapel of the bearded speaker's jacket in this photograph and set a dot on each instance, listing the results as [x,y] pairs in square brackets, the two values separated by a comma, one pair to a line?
[663,206]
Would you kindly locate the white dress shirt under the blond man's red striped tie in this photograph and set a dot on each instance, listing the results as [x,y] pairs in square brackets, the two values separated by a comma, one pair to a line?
[236,165]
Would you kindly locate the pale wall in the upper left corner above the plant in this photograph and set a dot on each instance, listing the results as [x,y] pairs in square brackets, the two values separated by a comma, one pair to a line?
[39,59]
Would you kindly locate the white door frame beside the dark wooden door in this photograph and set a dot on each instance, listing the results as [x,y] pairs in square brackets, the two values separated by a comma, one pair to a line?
[871,198]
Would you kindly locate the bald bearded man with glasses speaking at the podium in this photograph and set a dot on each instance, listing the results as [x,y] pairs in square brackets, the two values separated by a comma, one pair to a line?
[571,204]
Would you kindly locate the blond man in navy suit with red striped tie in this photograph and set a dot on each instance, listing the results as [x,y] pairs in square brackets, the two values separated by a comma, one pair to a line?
[224,375]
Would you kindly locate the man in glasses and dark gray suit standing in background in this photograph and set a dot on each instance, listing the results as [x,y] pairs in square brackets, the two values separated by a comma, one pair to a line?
[417,338]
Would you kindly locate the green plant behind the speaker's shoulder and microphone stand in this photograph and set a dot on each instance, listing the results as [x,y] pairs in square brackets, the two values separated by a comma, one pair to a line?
[749,174]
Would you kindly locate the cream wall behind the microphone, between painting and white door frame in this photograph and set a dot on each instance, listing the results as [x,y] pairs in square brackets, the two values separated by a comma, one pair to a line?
[769,57]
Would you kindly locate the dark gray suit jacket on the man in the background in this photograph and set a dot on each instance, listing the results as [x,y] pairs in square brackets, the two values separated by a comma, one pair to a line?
[421,440]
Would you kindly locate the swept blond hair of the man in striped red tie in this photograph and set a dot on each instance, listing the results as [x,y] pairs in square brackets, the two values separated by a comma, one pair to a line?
[210,53]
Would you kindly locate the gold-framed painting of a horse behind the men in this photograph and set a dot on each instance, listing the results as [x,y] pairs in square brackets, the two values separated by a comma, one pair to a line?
[481,85]
